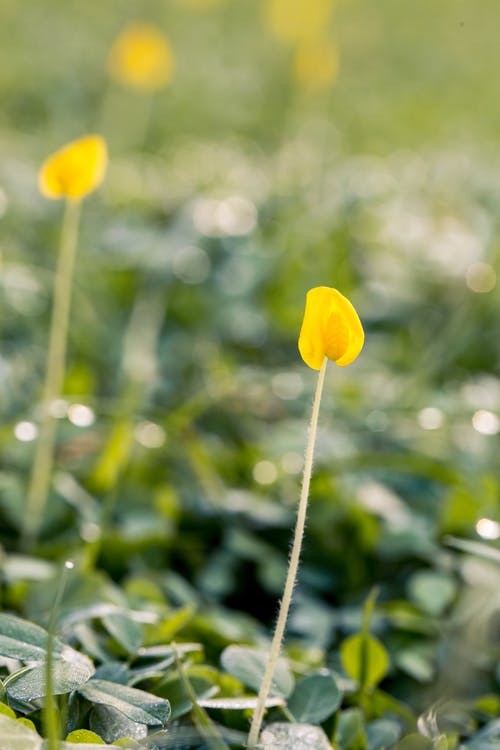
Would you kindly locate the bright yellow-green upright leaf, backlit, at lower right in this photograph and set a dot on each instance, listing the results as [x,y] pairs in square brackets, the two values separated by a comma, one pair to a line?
[364,659]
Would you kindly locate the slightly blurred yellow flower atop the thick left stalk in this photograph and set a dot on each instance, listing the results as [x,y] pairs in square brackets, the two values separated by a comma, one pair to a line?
[75,170]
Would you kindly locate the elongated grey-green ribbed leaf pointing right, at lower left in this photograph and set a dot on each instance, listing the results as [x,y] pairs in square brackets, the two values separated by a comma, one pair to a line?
[136,705]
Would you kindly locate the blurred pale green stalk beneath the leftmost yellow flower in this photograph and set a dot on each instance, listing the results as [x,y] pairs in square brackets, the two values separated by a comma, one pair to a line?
[44,451]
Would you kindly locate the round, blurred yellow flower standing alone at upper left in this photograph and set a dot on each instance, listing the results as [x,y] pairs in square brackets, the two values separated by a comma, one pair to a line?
[141,57]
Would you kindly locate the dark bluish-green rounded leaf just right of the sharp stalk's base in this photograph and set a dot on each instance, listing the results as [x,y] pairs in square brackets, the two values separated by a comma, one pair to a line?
[314,699]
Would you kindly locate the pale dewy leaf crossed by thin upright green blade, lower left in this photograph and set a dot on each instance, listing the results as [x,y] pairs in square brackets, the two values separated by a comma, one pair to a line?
[29,684]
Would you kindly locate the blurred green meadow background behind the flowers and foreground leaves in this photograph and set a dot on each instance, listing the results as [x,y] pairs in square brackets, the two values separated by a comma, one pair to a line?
[230,192]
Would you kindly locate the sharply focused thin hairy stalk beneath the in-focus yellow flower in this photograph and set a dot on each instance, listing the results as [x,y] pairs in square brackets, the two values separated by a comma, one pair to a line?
[293,565]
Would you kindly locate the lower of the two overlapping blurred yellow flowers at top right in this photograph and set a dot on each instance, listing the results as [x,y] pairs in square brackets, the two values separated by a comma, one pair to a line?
[316,64]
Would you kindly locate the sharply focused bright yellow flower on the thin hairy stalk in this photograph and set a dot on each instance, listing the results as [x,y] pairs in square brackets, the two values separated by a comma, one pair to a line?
[331,328]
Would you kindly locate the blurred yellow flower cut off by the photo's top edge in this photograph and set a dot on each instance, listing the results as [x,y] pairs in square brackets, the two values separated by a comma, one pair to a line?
[293,20]
